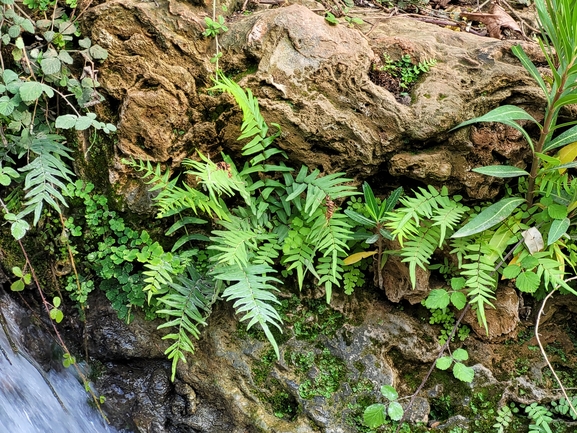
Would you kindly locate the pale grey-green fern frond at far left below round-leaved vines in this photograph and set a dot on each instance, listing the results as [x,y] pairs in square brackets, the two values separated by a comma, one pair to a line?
[45,175]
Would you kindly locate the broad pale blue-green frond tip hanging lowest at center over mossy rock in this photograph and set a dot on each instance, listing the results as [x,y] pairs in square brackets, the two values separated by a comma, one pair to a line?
[253,293]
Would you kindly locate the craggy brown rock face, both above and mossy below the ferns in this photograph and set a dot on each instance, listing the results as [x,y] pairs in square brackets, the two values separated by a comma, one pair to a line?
[314,80]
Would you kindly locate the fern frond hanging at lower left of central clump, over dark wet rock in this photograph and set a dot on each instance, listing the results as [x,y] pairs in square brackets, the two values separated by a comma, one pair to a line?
[187,304]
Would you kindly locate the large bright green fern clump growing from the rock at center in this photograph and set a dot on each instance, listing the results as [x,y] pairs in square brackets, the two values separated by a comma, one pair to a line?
[288,219]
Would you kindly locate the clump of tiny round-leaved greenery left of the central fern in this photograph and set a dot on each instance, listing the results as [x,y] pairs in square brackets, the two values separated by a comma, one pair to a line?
[115,253]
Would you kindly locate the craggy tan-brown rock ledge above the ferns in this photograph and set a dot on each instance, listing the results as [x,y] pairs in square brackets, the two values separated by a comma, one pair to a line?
[314,80]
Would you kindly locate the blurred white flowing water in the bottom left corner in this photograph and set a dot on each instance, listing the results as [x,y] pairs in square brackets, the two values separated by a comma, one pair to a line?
[27,403]
